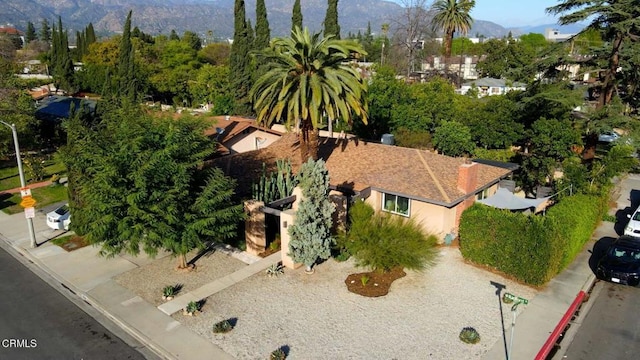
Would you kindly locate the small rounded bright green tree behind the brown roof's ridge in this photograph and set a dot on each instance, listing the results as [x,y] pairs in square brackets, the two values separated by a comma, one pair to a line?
[453,139]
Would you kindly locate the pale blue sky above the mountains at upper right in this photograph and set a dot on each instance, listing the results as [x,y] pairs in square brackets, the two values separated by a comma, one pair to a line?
[511,13]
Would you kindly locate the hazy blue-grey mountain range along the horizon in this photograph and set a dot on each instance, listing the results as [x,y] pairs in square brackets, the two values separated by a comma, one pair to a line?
[211,16]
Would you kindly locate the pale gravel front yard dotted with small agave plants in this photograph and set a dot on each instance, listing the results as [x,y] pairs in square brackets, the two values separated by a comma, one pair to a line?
[315,317]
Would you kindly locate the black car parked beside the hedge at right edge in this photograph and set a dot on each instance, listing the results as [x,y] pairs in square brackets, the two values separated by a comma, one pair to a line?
[621,263]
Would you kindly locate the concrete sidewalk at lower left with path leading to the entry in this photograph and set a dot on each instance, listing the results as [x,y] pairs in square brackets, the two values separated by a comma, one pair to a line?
[90,277]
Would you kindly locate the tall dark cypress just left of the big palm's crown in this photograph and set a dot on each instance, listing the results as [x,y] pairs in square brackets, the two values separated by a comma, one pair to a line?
[240,61]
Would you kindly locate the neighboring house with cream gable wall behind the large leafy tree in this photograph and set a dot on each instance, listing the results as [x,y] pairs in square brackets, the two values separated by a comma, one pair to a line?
[237,134]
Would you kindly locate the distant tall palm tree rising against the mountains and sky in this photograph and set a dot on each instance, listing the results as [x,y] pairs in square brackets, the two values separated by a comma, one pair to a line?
[452,16]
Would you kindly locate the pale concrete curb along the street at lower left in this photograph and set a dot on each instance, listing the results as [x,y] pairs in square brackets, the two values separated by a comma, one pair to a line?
[133,332]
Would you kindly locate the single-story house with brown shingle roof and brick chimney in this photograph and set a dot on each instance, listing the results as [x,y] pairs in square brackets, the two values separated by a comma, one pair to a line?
[430,188]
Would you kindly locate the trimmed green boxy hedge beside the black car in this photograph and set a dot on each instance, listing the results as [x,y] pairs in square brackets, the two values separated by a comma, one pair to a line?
[531,248]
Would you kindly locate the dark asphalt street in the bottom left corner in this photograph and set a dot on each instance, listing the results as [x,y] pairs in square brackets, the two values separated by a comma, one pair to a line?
[38,322]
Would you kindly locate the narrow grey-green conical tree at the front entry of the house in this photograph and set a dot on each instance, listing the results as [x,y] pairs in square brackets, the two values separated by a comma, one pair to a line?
[310,233]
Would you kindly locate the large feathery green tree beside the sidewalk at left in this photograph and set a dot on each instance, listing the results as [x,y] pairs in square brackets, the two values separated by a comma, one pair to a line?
[143,187]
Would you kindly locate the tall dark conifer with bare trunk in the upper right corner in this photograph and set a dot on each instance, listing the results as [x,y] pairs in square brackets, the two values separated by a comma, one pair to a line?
[621,22]
